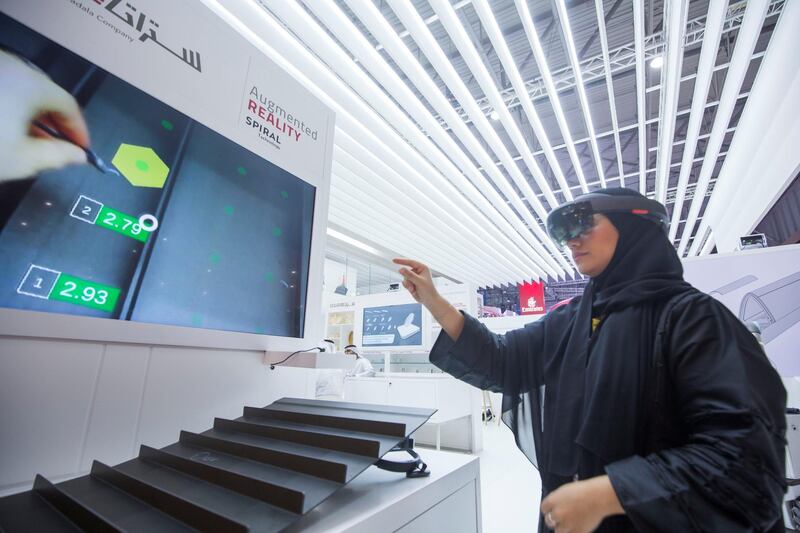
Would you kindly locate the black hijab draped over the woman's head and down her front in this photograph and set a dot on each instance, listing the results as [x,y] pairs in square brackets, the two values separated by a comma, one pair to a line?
[644,267]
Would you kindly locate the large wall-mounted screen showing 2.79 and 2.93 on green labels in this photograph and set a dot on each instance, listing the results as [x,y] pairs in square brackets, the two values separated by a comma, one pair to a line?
[173,223]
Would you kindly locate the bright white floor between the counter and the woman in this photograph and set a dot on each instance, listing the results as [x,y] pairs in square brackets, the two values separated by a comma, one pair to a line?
[510,485]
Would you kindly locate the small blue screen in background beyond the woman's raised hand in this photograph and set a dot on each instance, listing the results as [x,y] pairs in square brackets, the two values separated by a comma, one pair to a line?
[392,326]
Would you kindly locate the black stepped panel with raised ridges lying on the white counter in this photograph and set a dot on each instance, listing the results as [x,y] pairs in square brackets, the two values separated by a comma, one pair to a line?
[260,472]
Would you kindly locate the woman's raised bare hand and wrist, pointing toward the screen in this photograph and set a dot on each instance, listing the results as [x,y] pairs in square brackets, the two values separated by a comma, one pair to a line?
[417,279]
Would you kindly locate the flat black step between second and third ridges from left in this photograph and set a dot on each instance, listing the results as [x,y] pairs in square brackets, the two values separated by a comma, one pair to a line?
[239,508]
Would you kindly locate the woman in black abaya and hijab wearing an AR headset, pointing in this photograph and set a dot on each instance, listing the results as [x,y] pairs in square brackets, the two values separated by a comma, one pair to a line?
[645,404]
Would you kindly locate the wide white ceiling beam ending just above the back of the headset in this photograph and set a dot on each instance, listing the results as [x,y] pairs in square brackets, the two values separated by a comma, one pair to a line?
[675,24]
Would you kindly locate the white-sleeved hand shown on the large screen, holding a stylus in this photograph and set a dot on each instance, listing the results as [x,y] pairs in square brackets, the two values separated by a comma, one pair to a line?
[26,96]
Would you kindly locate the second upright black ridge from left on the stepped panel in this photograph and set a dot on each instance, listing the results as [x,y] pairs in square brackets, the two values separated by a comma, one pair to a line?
[192,515]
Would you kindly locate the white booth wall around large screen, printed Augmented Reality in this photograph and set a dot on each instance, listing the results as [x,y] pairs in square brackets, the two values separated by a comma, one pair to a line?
[78,388]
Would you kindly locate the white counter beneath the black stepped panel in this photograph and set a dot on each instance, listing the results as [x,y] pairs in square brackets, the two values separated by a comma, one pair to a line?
[447,501]
